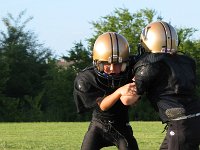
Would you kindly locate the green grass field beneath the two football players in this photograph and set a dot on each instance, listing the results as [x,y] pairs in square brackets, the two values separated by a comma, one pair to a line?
[68,135]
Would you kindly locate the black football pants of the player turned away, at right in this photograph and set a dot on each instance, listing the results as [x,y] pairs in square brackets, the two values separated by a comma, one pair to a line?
[182,135]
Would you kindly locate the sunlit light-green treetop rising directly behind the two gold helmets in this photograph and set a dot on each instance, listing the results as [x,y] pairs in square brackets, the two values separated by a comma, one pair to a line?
[124,22]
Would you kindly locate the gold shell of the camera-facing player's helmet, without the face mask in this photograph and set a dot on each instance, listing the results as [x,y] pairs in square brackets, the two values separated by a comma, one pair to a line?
[110,47]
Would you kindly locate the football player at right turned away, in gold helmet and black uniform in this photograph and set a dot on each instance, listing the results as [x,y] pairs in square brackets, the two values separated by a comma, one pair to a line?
[168,78]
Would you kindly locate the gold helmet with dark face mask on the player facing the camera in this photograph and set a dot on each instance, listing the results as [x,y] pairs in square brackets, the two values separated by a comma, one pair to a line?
[111,47]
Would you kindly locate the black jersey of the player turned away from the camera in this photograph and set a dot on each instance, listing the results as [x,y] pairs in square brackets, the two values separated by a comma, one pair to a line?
[168,81]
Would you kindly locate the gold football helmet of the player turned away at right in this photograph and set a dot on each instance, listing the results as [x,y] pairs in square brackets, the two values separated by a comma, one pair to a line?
[159,37]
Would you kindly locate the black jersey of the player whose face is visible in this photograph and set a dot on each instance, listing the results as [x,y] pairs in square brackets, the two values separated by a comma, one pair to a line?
[88,89]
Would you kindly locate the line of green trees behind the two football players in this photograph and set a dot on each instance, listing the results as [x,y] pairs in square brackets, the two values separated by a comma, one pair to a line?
[33,87]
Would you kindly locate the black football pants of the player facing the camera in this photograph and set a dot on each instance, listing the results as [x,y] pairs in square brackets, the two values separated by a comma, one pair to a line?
[103,133]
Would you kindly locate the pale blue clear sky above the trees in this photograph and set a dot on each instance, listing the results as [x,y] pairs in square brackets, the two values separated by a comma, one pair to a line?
[60,23]
